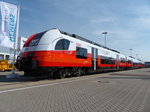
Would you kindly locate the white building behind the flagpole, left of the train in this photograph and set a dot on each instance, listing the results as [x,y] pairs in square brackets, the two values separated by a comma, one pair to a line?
[8,53]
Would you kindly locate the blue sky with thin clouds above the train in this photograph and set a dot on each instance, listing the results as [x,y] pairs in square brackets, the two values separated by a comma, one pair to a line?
[126,21]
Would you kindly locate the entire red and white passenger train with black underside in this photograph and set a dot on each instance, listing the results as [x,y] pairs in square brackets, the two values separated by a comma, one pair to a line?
[60,54]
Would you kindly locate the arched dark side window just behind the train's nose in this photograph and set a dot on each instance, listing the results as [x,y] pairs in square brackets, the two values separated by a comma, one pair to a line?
[62,44]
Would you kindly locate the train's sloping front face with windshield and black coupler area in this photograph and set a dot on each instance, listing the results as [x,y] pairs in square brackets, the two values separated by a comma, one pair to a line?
[26,59]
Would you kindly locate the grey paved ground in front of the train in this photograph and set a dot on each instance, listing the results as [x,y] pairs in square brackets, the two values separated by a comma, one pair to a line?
[126,91]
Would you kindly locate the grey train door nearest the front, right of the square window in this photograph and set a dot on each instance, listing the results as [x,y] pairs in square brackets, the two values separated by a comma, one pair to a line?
[94,58]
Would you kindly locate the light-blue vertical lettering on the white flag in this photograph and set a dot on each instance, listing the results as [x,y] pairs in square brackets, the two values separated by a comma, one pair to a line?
[12,28]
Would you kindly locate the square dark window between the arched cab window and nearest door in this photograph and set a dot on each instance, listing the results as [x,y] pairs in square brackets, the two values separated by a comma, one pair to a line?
[81,53]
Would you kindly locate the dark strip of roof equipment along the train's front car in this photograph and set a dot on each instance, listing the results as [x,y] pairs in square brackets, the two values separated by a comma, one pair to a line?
[86,40]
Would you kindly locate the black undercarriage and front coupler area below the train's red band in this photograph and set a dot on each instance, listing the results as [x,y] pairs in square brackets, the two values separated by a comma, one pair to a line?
[31,68]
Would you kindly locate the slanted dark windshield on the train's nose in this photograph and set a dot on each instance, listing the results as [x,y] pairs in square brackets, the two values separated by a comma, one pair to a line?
[36,39]
